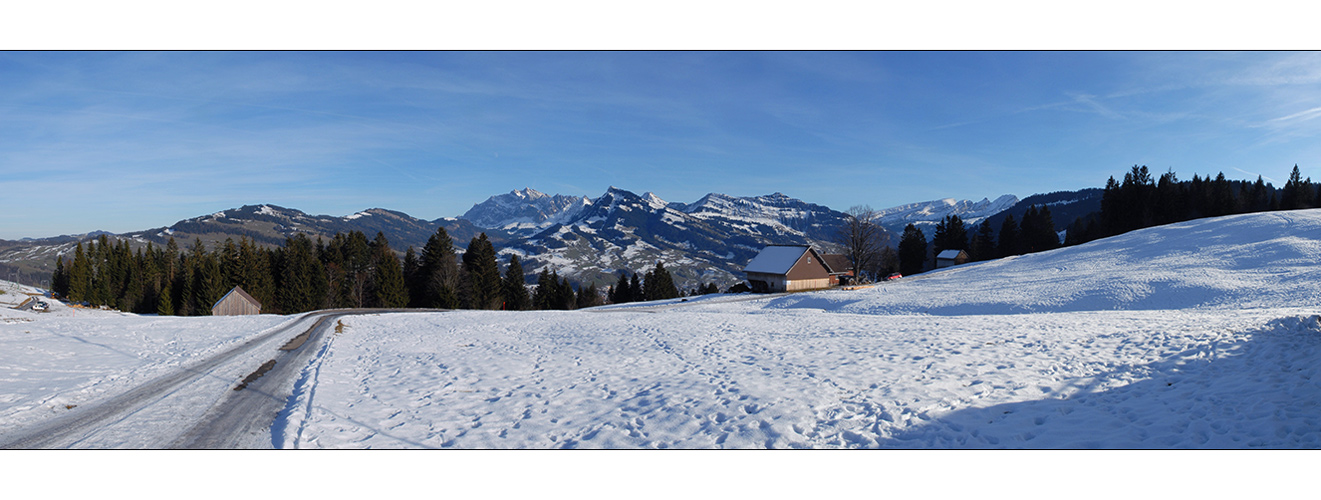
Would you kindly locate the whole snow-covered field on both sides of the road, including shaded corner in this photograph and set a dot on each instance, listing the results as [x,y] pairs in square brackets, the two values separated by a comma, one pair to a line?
[1195,336]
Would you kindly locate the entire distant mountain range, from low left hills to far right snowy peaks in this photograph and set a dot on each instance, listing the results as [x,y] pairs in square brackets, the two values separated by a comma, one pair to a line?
[586,239]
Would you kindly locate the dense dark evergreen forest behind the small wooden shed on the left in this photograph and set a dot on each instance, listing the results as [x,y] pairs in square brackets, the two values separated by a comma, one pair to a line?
[349,271]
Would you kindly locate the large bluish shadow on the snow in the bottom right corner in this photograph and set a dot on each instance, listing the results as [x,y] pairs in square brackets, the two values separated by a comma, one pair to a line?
[1257,391]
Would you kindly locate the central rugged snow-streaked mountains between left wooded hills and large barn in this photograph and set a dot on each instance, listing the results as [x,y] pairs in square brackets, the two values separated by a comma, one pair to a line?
[596,239]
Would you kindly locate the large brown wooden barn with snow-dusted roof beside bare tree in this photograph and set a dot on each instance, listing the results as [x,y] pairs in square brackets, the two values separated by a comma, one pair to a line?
[788,268]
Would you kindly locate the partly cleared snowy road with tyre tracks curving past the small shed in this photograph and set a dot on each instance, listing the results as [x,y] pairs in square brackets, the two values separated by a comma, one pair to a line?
[195,406]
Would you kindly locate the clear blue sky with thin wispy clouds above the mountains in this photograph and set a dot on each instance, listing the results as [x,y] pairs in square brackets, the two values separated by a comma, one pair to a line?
[131,141]
